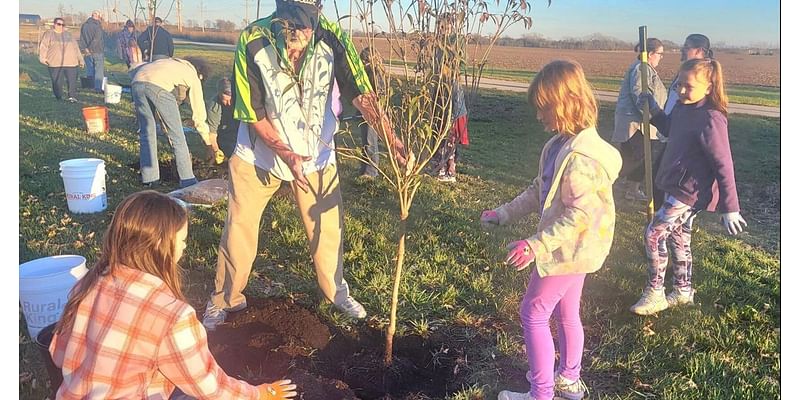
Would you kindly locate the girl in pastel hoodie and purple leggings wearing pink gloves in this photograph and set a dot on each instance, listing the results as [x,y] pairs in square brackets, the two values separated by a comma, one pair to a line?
[573,193]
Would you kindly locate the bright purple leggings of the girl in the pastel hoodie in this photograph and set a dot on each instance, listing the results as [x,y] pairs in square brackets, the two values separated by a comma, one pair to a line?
[559,295]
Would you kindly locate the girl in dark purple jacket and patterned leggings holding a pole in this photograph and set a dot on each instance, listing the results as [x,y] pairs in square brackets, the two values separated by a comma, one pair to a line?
[696,173]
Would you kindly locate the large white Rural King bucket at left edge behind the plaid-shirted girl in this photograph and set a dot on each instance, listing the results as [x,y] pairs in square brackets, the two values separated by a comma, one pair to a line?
[44,286]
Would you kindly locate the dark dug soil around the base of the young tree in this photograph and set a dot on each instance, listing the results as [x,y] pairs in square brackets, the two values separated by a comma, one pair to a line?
[276,339]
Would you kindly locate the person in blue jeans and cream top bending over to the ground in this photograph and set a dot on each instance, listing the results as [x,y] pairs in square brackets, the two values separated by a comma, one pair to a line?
[152,88]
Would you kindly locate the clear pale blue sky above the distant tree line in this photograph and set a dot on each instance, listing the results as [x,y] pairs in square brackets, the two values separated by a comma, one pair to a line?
[737,22]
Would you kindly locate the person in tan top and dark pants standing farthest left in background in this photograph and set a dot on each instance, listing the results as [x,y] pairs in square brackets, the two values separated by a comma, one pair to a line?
[59,51]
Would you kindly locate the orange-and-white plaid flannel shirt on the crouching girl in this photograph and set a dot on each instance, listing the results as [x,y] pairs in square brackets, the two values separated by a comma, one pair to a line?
[132,339]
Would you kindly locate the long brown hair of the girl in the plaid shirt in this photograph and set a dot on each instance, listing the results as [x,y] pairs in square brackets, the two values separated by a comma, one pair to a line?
[141,236]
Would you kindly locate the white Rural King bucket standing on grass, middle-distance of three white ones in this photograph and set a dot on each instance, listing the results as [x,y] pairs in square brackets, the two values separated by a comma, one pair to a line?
[84,184]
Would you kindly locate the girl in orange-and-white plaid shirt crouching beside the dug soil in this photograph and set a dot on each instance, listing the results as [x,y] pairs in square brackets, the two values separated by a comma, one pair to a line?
[127,331]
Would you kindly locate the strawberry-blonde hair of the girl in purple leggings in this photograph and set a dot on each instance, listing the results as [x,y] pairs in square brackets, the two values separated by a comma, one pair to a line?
[561,88]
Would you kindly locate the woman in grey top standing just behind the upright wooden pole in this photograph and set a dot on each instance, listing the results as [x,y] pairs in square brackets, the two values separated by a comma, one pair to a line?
[628,119]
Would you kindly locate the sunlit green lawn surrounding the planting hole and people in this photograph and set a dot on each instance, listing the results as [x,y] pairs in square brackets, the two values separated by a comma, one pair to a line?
[726,347]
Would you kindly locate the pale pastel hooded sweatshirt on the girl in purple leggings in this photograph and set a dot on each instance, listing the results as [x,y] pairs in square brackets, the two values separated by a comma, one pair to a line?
[576,229]
